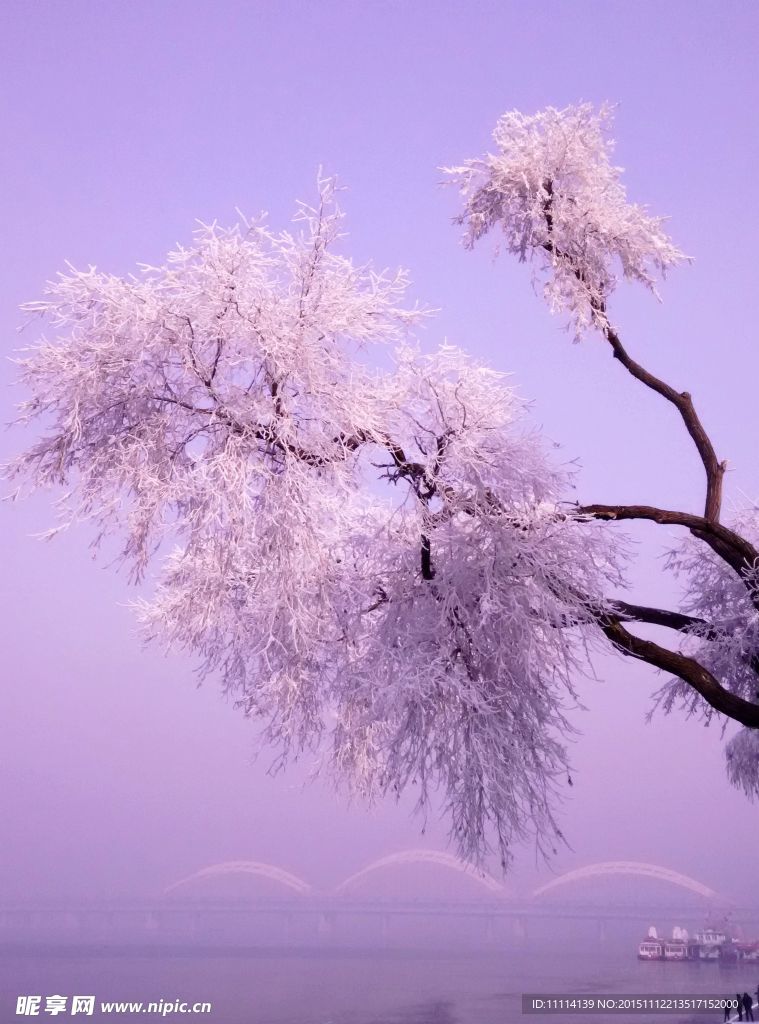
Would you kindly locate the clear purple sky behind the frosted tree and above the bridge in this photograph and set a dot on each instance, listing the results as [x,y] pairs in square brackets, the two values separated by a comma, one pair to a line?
[124,122]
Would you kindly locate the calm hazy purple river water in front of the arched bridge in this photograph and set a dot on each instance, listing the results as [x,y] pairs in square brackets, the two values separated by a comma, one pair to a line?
[333,987]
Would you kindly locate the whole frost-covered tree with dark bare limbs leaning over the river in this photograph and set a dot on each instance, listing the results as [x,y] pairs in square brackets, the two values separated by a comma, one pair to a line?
[381,564]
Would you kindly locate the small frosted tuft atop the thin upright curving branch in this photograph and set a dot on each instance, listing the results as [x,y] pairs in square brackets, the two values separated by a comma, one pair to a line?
[558,200]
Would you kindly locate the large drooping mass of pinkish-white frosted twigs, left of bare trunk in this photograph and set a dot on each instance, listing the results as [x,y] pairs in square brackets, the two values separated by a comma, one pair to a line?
[377,557]
